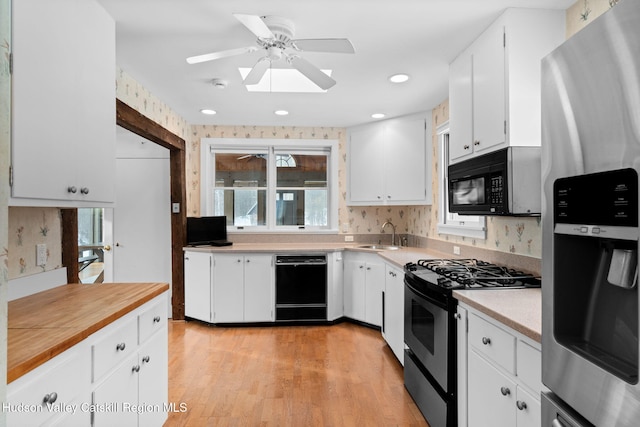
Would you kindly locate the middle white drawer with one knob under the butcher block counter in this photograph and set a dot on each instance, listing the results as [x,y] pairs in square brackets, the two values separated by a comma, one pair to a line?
[114,346]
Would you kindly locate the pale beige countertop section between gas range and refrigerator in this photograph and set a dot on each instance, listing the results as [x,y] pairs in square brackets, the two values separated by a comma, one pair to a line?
[519,309]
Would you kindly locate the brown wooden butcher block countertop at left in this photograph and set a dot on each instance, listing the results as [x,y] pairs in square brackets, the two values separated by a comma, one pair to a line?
[45,324]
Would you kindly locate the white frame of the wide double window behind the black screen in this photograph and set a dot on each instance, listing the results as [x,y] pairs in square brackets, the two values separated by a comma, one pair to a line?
[328,147]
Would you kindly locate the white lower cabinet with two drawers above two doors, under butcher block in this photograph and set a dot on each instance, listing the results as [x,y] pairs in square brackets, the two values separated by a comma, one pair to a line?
[130,369]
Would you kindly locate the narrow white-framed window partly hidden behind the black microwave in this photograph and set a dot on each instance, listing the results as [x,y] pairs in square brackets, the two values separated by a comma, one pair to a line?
[473,226]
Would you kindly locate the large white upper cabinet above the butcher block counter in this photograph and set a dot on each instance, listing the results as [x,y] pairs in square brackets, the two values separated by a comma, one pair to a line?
[63,107]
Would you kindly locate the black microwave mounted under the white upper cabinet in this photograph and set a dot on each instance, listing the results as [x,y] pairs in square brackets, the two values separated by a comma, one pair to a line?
[503,182]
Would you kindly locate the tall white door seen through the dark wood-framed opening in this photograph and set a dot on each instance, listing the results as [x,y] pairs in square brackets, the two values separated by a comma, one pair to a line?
[140,223]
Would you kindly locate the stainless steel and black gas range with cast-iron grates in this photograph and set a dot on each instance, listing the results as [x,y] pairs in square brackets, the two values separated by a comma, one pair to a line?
[430,331]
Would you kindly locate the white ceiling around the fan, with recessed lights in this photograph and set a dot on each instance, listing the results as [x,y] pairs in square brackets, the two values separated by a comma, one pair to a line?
[418,37]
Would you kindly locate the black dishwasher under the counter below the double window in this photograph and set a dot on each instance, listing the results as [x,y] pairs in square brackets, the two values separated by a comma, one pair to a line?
[301,287]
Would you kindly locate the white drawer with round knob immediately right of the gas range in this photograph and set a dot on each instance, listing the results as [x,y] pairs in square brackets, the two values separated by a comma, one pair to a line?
[493,342]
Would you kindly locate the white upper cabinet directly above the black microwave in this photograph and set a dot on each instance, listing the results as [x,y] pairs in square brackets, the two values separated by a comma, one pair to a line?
[494,84]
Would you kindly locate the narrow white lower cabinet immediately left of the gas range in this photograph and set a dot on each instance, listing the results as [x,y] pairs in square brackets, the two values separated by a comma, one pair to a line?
[393,313]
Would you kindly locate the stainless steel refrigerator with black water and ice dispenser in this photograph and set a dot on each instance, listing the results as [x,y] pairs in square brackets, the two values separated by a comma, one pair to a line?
[590,169]
